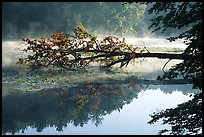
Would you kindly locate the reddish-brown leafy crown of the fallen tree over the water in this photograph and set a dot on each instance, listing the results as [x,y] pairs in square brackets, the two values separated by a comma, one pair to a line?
[66,51]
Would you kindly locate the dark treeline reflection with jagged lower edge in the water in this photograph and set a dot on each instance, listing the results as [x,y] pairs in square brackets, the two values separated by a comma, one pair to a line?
[58,107]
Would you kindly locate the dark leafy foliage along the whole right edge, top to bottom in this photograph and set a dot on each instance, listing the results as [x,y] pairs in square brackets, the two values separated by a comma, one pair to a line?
[186,119]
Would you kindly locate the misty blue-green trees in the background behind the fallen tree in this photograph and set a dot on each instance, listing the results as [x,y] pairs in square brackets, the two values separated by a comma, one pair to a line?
[48,17]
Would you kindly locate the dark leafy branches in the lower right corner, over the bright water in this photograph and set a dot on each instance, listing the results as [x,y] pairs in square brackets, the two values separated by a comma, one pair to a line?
[186,119]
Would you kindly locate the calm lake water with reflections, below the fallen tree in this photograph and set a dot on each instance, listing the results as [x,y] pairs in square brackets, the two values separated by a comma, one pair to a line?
[91,101]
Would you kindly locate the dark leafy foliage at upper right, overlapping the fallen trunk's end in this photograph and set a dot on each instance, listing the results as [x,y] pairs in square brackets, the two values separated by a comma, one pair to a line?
[179,15]
